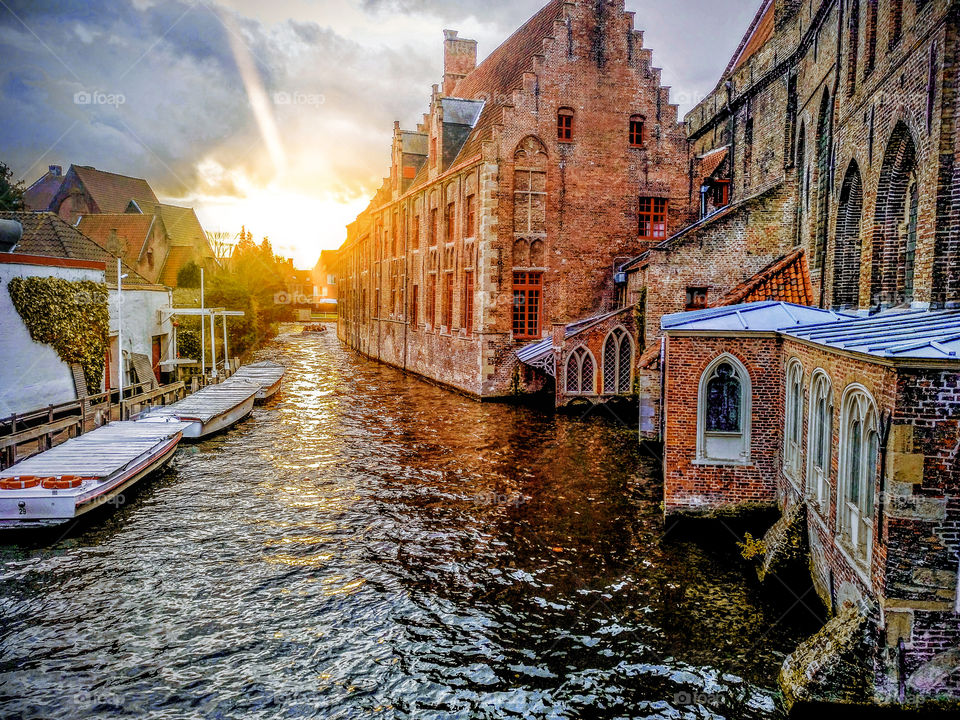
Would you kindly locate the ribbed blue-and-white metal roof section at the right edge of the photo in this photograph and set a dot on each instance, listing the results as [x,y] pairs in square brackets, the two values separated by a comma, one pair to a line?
[919,334]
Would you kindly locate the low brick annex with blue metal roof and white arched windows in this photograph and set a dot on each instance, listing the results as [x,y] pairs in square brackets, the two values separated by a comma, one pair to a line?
[852,425]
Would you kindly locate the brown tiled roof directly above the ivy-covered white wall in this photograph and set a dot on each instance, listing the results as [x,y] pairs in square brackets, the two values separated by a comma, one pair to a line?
[46,235]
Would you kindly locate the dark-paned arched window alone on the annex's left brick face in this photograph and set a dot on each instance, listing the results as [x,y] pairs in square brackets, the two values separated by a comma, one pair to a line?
[723,412]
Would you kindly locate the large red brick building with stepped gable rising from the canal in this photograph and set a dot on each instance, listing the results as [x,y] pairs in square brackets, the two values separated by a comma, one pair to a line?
[531,178]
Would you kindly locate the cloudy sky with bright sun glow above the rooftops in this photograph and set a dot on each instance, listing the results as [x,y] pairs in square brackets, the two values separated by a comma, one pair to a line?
[276,114]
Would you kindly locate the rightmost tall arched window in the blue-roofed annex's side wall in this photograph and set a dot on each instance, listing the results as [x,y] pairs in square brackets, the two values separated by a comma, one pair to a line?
[859,452]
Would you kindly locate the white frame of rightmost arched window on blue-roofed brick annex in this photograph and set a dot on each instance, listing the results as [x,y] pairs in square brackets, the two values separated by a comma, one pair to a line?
[855,531]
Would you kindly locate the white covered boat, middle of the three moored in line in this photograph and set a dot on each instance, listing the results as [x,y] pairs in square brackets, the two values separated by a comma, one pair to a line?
[208,411]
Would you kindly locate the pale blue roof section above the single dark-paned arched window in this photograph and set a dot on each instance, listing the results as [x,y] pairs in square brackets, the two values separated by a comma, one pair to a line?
[768,316]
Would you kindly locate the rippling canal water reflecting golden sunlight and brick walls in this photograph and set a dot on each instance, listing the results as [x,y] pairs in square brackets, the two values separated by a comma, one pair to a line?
[368,545]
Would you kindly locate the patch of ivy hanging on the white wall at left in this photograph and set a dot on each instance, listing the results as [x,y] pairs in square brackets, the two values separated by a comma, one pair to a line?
[72,316]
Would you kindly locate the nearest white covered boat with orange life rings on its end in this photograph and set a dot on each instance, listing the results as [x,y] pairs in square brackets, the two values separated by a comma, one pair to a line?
[86,472]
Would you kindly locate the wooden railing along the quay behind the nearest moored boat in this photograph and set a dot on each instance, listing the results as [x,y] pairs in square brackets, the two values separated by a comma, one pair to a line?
[44,428]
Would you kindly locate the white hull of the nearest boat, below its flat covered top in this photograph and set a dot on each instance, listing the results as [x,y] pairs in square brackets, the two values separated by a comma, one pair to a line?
[38,509]
